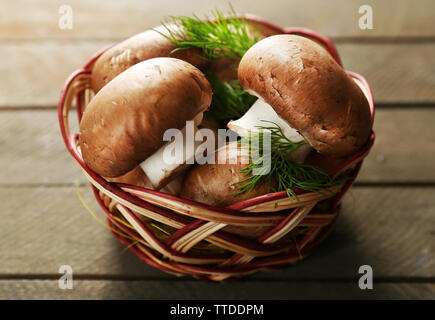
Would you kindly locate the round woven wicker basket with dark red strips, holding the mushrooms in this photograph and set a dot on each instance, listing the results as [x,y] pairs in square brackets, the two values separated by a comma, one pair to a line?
[183,237]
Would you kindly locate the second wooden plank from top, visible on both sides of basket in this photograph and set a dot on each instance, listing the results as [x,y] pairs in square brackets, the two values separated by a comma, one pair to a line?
[34,72]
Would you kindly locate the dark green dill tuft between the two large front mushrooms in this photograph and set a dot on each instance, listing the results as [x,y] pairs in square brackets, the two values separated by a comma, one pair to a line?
[229,100]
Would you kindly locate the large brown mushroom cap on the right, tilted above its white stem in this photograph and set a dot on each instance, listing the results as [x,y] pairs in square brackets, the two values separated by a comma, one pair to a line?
[309,90]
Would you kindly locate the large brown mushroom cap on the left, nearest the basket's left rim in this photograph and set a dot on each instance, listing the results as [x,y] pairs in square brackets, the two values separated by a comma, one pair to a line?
[124,123]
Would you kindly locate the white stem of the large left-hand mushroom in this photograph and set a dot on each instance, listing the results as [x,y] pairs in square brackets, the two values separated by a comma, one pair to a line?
[170,159]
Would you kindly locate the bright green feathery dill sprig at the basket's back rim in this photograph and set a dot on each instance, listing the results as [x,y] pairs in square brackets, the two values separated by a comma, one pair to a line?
[218,36]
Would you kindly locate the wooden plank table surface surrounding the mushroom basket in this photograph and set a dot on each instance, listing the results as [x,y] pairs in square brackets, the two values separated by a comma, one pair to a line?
[387,220]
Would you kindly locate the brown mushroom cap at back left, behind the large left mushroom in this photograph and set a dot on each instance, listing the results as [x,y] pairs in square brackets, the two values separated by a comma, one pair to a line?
[143,46]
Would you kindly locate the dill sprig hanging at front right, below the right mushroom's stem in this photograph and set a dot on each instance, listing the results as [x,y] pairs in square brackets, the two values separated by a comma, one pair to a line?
[284,175]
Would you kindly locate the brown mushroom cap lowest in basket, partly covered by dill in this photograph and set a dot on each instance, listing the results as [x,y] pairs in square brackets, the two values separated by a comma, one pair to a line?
[212,184]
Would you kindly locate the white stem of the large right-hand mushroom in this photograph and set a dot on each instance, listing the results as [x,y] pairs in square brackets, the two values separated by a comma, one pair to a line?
[256,116]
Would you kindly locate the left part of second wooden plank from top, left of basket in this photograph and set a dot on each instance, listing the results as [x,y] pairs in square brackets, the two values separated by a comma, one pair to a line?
[34,72]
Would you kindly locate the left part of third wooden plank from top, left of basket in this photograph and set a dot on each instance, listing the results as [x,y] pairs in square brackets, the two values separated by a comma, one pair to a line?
[32,149]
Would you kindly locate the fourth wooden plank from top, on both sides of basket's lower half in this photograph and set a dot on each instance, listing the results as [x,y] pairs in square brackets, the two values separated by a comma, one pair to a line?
[390,229]
